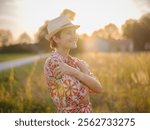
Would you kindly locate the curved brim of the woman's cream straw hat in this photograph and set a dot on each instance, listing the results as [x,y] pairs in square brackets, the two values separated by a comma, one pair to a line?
[48,36]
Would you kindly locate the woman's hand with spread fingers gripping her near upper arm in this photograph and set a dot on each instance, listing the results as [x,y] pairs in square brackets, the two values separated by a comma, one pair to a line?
[61,69]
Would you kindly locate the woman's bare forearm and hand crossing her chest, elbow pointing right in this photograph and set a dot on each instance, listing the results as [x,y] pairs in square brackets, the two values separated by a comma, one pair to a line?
[91,82]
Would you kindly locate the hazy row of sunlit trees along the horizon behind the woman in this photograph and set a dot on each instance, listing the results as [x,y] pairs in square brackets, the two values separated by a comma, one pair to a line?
[136,30]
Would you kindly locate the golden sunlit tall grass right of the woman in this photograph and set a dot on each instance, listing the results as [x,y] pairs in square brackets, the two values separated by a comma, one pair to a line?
[126,81]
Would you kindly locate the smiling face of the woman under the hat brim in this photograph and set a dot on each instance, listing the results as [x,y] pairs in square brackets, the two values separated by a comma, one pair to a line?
[68,38]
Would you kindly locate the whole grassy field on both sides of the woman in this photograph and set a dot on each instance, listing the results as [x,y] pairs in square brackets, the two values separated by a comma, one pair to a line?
[125,79]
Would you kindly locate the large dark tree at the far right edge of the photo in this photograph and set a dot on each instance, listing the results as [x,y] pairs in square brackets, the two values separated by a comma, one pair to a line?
[138,31]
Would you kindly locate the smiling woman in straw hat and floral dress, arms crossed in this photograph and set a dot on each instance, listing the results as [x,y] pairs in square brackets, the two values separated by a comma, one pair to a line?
[68,78]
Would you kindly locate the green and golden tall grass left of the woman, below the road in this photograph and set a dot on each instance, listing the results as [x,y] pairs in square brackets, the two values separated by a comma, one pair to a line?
[23,89]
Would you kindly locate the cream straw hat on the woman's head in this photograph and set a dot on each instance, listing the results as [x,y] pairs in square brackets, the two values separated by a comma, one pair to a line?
[57,25]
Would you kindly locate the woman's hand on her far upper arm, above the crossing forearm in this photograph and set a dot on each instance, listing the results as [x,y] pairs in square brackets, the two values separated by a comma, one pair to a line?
[83,66]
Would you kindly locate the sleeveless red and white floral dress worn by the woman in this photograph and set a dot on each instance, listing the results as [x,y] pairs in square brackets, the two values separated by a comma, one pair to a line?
[67,92]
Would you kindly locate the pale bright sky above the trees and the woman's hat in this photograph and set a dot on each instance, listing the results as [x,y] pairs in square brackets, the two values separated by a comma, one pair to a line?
[28,15]
